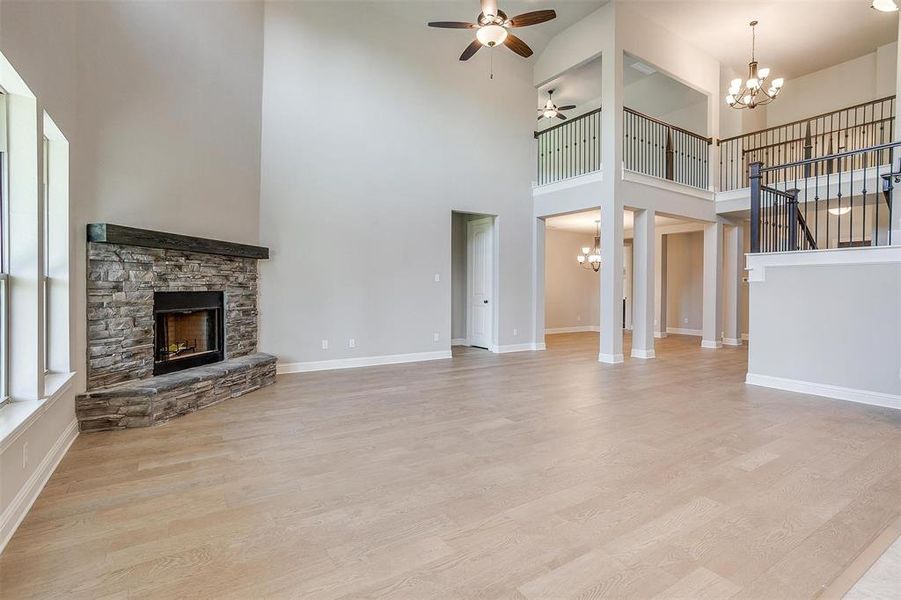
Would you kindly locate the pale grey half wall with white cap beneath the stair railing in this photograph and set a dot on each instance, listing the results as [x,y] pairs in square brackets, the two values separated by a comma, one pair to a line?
[830,329]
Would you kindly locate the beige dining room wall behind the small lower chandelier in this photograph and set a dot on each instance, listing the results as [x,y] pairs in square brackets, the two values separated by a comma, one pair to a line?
[571,292]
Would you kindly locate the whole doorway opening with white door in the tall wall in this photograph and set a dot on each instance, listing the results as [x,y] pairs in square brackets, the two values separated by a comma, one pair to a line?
[474,280]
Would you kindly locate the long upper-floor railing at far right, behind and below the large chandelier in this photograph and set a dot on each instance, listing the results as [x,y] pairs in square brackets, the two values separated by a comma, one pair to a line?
[853,128]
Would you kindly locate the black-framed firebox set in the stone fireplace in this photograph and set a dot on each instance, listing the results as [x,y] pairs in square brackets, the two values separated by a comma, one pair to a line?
[188,330]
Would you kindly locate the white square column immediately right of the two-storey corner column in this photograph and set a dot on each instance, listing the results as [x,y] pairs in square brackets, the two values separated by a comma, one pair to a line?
[644,248]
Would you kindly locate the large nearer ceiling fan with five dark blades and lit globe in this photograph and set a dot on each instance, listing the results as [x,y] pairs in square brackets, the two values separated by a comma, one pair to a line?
[492,27]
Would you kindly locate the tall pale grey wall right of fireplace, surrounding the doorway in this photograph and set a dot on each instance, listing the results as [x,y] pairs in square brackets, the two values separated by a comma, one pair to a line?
[357,199]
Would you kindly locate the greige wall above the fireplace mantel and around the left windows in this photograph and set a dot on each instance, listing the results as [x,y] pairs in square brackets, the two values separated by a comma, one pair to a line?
[161,105]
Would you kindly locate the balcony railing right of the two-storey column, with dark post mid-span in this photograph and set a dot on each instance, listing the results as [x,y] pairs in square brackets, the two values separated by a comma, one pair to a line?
[656,148]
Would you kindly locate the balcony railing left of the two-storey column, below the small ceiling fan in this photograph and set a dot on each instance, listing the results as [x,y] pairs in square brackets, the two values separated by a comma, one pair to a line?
[570,149]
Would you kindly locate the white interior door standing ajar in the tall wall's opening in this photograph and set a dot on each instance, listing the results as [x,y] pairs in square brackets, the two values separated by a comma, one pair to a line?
[480,262]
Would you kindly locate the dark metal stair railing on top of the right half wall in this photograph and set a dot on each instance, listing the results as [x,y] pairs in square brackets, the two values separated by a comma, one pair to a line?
[836,201]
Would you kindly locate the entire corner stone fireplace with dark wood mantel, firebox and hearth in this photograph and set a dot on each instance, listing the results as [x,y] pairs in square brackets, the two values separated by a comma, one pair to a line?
[172,326]
